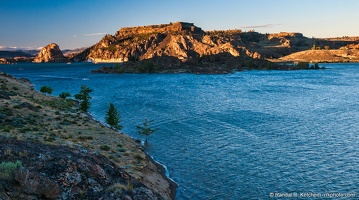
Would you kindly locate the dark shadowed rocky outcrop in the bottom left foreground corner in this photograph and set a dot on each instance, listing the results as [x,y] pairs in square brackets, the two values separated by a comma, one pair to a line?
[60,172]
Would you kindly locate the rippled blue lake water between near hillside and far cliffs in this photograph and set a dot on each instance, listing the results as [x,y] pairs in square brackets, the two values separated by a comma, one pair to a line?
[235,136]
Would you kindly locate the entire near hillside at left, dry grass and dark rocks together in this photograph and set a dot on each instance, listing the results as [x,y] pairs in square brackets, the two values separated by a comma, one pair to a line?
[36,128]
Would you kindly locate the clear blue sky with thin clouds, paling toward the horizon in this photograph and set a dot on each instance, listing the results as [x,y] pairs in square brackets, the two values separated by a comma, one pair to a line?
[32,24]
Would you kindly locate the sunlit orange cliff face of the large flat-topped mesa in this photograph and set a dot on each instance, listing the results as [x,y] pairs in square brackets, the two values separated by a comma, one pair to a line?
[181,40]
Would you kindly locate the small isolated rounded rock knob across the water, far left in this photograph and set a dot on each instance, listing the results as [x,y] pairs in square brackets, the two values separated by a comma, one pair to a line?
[50,53]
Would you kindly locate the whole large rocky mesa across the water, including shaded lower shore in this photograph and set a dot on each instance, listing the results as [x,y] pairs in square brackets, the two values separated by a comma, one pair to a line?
[186,47]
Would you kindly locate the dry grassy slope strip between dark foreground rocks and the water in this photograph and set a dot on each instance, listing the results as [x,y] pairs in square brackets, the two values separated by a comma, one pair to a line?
[29,115]
